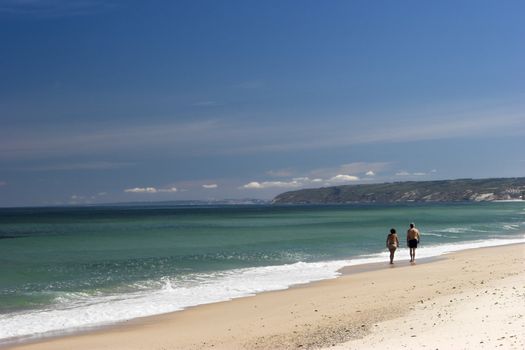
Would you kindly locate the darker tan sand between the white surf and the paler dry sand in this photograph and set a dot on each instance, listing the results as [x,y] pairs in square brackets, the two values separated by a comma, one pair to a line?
[314,315]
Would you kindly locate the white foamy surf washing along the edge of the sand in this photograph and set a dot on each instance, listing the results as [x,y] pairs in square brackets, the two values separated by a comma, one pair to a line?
[79,311]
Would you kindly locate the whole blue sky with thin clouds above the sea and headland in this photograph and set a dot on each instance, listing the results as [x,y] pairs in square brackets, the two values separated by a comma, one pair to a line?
[114,101]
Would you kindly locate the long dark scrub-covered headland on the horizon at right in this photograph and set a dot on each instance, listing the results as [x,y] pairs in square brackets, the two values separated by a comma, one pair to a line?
[462,190]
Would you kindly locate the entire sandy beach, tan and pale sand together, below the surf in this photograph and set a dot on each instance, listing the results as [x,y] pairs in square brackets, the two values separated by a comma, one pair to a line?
[465,300]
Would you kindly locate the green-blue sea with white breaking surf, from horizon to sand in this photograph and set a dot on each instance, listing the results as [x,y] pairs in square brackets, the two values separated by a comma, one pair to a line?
[65,269]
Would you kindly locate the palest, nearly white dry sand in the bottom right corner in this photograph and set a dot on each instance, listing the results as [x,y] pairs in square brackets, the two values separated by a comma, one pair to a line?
[492,317]
